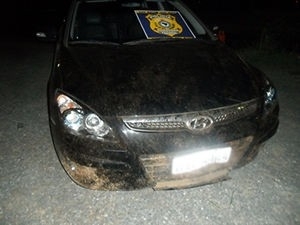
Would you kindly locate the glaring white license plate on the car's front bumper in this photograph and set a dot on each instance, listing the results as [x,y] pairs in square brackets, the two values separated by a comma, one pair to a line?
[193,161]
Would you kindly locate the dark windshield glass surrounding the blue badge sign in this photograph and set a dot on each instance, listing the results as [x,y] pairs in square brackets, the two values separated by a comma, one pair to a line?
[117,21]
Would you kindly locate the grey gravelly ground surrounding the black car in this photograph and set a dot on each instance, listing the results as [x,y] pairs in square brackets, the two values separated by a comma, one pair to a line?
[34,189]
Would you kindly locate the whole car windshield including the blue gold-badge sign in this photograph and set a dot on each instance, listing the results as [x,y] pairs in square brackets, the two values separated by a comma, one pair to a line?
[117,21]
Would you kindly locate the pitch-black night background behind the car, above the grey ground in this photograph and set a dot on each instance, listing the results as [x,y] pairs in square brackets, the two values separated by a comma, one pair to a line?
[21,18]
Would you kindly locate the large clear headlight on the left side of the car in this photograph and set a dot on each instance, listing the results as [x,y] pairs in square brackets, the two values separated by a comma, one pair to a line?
[80,120]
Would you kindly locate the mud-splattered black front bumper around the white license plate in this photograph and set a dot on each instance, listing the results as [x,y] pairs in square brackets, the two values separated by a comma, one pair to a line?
[114,166]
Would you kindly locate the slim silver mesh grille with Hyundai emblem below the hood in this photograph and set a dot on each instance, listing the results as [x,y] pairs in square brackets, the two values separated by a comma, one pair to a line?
[192,121]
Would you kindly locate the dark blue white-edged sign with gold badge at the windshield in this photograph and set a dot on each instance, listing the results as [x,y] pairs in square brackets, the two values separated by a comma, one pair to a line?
[160,24]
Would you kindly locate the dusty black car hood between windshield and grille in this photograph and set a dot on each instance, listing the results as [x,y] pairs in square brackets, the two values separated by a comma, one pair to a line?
[156,77]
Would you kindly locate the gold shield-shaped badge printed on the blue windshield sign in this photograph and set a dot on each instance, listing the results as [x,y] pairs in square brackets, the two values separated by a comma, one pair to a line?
[165,24]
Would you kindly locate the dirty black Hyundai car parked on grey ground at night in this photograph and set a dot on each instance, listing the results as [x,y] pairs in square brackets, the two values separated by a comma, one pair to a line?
[143,95]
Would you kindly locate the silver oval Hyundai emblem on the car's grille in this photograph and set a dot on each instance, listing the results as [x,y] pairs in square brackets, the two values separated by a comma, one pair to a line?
[199,123]
